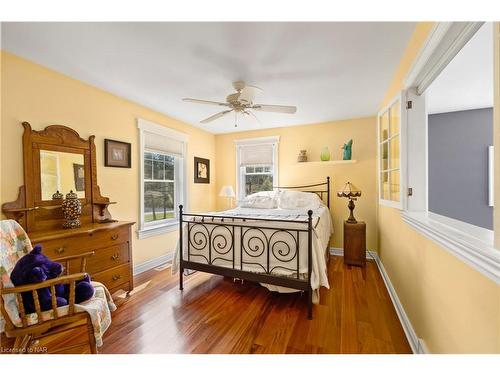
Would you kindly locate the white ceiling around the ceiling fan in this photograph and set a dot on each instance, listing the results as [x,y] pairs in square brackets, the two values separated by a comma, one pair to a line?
[330,71]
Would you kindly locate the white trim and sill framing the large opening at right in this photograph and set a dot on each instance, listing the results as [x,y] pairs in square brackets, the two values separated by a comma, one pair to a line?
[471,244]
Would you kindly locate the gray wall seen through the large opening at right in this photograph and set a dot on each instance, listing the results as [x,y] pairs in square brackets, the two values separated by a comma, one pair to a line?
[458,165]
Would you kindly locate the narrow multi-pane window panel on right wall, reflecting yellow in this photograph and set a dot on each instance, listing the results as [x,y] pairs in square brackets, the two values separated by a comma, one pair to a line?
[389,145]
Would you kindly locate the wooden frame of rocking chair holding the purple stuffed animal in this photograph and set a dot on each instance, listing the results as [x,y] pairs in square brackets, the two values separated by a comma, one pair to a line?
[52,321]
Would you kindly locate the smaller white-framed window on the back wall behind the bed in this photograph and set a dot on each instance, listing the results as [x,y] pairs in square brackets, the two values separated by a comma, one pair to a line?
[257,164]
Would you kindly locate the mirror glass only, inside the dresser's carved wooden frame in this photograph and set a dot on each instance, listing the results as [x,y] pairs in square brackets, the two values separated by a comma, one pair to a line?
[61,172]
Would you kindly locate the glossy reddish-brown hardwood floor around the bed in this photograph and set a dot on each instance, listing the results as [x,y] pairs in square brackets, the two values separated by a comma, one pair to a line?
[216,315]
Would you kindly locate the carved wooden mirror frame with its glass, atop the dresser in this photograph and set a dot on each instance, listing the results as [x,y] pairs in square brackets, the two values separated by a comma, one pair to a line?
[57,159]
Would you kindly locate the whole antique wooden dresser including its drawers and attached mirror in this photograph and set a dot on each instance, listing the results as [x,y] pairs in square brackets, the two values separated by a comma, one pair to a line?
[39,210]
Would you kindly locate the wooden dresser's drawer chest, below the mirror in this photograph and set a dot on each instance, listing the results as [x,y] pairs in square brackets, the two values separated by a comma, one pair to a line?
[112,262]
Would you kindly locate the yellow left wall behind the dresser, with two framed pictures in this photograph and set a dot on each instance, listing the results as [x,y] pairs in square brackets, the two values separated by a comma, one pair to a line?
[43,97]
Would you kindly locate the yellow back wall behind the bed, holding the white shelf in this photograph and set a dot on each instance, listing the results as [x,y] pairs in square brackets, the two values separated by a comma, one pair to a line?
[312,138]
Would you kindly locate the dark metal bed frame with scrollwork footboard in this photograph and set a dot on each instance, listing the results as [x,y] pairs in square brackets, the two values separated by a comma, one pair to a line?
[254,241]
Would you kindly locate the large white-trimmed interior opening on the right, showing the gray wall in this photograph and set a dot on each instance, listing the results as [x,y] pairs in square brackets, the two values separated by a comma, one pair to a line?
[427,149]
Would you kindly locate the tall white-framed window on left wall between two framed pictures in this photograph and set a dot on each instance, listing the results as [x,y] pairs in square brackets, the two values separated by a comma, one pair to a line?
[162,183]
